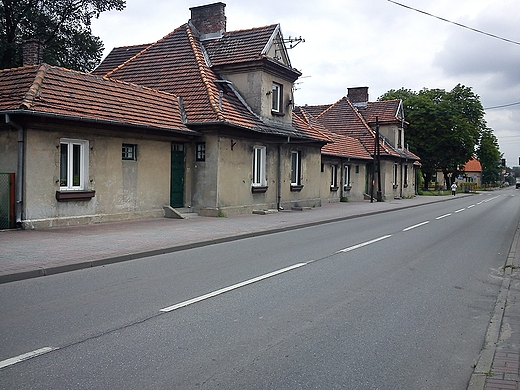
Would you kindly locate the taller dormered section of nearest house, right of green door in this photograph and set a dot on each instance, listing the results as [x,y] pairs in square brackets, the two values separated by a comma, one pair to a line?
[236,89]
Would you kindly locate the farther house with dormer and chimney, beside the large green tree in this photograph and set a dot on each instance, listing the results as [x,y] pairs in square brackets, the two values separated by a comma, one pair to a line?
[356,117]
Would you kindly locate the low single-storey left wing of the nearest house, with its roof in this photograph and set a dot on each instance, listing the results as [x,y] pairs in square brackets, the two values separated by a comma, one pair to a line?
[84,149]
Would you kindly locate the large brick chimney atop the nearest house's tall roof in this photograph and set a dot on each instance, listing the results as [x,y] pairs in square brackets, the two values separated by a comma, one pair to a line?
[209,20]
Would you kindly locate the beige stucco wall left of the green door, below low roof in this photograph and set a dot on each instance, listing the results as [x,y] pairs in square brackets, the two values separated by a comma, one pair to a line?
[123,189]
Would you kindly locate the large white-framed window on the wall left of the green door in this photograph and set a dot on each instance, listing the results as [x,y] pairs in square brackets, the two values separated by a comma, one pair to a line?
[73,164]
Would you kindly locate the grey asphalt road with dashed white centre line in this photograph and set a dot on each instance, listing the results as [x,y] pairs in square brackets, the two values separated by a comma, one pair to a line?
[400,300]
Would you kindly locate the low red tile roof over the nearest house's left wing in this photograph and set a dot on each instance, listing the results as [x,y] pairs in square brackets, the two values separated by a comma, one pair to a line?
[49,90]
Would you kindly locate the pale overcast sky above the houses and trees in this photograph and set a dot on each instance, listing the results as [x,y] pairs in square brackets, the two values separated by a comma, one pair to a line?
[373,43]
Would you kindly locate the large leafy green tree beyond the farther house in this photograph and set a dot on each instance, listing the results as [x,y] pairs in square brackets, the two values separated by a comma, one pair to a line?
[444,127]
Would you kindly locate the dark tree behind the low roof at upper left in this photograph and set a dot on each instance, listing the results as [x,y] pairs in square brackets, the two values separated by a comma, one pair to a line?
[63,26]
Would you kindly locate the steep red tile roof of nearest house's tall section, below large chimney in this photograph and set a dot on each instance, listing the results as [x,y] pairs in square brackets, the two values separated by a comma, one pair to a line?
[177,64]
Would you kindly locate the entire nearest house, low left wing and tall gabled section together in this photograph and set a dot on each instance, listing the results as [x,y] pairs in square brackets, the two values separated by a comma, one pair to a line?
[202,118]
